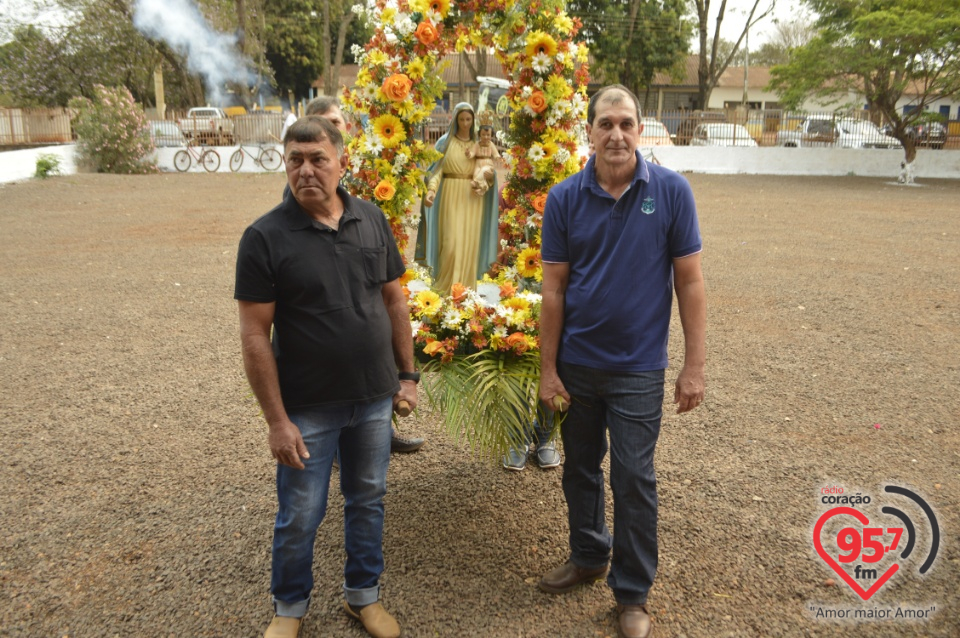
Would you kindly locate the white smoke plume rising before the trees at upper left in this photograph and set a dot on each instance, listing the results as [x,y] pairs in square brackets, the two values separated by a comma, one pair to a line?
[209,53]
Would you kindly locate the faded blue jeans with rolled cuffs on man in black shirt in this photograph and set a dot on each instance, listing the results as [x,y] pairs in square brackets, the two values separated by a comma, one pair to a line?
[361,432]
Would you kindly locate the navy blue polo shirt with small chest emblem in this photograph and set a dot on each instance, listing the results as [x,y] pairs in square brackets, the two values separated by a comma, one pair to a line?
[620,252]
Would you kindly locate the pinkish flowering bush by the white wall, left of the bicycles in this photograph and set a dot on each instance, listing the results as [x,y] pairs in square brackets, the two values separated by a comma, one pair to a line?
[112,135]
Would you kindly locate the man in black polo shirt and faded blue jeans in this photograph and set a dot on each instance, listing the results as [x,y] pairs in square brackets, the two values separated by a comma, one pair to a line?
[325,328]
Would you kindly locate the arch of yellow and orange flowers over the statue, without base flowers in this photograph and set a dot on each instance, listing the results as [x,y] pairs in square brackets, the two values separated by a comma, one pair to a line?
[400,80]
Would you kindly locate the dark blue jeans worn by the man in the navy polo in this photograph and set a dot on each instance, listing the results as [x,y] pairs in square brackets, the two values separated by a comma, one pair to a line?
[629,406]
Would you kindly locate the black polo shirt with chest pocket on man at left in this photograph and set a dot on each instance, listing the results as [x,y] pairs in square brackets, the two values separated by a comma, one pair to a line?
[332,337]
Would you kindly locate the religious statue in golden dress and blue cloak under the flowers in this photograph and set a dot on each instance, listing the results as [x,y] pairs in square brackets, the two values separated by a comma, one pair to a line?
[458,234]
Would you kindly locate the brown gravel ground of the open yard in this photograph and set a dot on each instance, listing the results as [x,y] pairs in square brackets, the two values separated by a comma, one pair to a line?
[136,495]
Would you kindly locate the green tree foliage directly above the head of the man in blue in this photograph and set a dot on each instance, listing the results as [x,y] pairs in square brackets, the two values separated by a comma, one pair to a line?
[631,40]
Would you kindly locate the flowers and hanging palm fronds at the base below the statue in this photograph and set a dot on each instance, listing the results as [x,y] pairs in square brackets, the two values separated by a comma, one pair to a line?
[479,351]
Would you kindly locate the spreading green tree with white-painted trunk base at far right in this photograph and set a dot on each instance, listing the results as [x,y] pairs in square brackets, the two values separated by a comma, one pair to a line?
[880,49]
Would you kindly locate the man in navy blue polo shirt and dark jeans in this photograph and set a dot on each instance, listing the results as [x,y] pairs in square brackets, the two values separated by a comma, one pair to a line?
[619,238]
